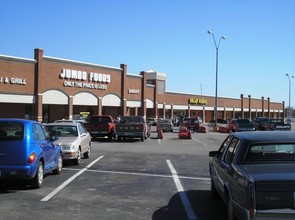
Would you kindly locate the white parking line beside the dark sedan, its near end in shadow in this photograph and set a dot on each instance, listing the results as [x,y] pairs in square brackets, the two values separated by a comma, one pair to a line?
[186,204]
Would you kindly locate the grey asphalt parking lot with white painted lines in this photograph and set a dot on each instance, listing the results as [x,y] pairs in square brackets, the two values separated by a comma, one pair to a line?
[156,179]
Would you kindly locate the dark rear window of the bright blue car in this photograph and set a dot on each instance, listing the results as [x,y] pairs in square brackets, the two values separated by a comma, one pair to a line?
[11,131]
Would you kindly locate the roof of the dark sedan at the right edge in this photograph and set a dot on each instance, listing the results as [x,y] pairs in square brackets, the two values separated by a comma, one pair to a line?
[266,136]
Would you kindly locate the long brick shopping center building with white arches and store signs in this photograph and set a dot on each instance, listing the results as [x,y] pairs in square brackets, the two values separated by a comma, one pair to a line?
[49,88]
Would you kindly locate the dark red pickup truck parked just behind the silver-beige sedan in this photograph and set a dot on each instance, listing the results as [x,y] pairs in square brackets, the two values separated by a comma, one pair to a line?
[101,126]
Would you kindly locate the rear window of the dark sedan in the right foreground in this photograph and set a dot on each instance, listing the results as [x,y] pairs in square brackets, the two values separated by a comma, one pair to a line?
[271,152]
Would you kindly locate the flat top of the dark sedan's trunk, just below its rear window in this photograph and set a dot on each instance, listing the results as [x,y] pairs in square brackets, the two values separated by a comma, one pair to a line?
[270,172]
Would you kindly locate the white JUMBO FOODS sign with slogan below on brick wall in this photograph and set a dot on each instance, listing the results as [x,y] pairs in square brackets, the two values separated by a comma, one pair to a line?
[83,79]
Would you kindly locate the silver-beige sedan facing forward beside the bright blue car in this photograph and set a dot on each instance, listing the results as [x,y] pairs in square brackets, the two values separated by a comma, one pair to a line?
[73,138]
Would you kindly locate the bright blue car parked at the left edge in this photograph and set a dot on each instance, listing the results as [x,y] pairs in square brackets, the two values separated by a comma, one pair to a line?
[27,151]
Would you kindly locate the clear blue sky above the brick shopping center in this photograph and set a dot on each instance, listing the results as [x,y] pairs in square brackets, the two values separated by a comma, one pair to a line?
[169,36]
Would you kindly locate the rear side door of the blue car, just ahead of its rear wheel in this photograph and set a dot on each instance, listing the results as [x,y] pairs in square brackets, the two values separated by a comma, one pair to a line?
[46,146]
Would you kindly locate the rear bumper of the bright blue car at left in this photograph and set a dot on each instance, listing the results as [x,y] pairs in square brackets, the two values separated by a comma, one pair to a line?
[17,172]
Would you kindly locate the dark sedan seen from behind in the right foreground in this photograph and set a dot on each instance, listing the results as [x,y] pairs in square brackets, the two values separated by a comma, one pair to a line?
[253,173]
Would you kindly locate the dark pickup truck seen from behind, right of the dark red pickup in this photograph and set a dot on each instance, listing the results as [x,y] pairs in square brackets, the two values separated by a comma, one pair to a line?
[132,127]
